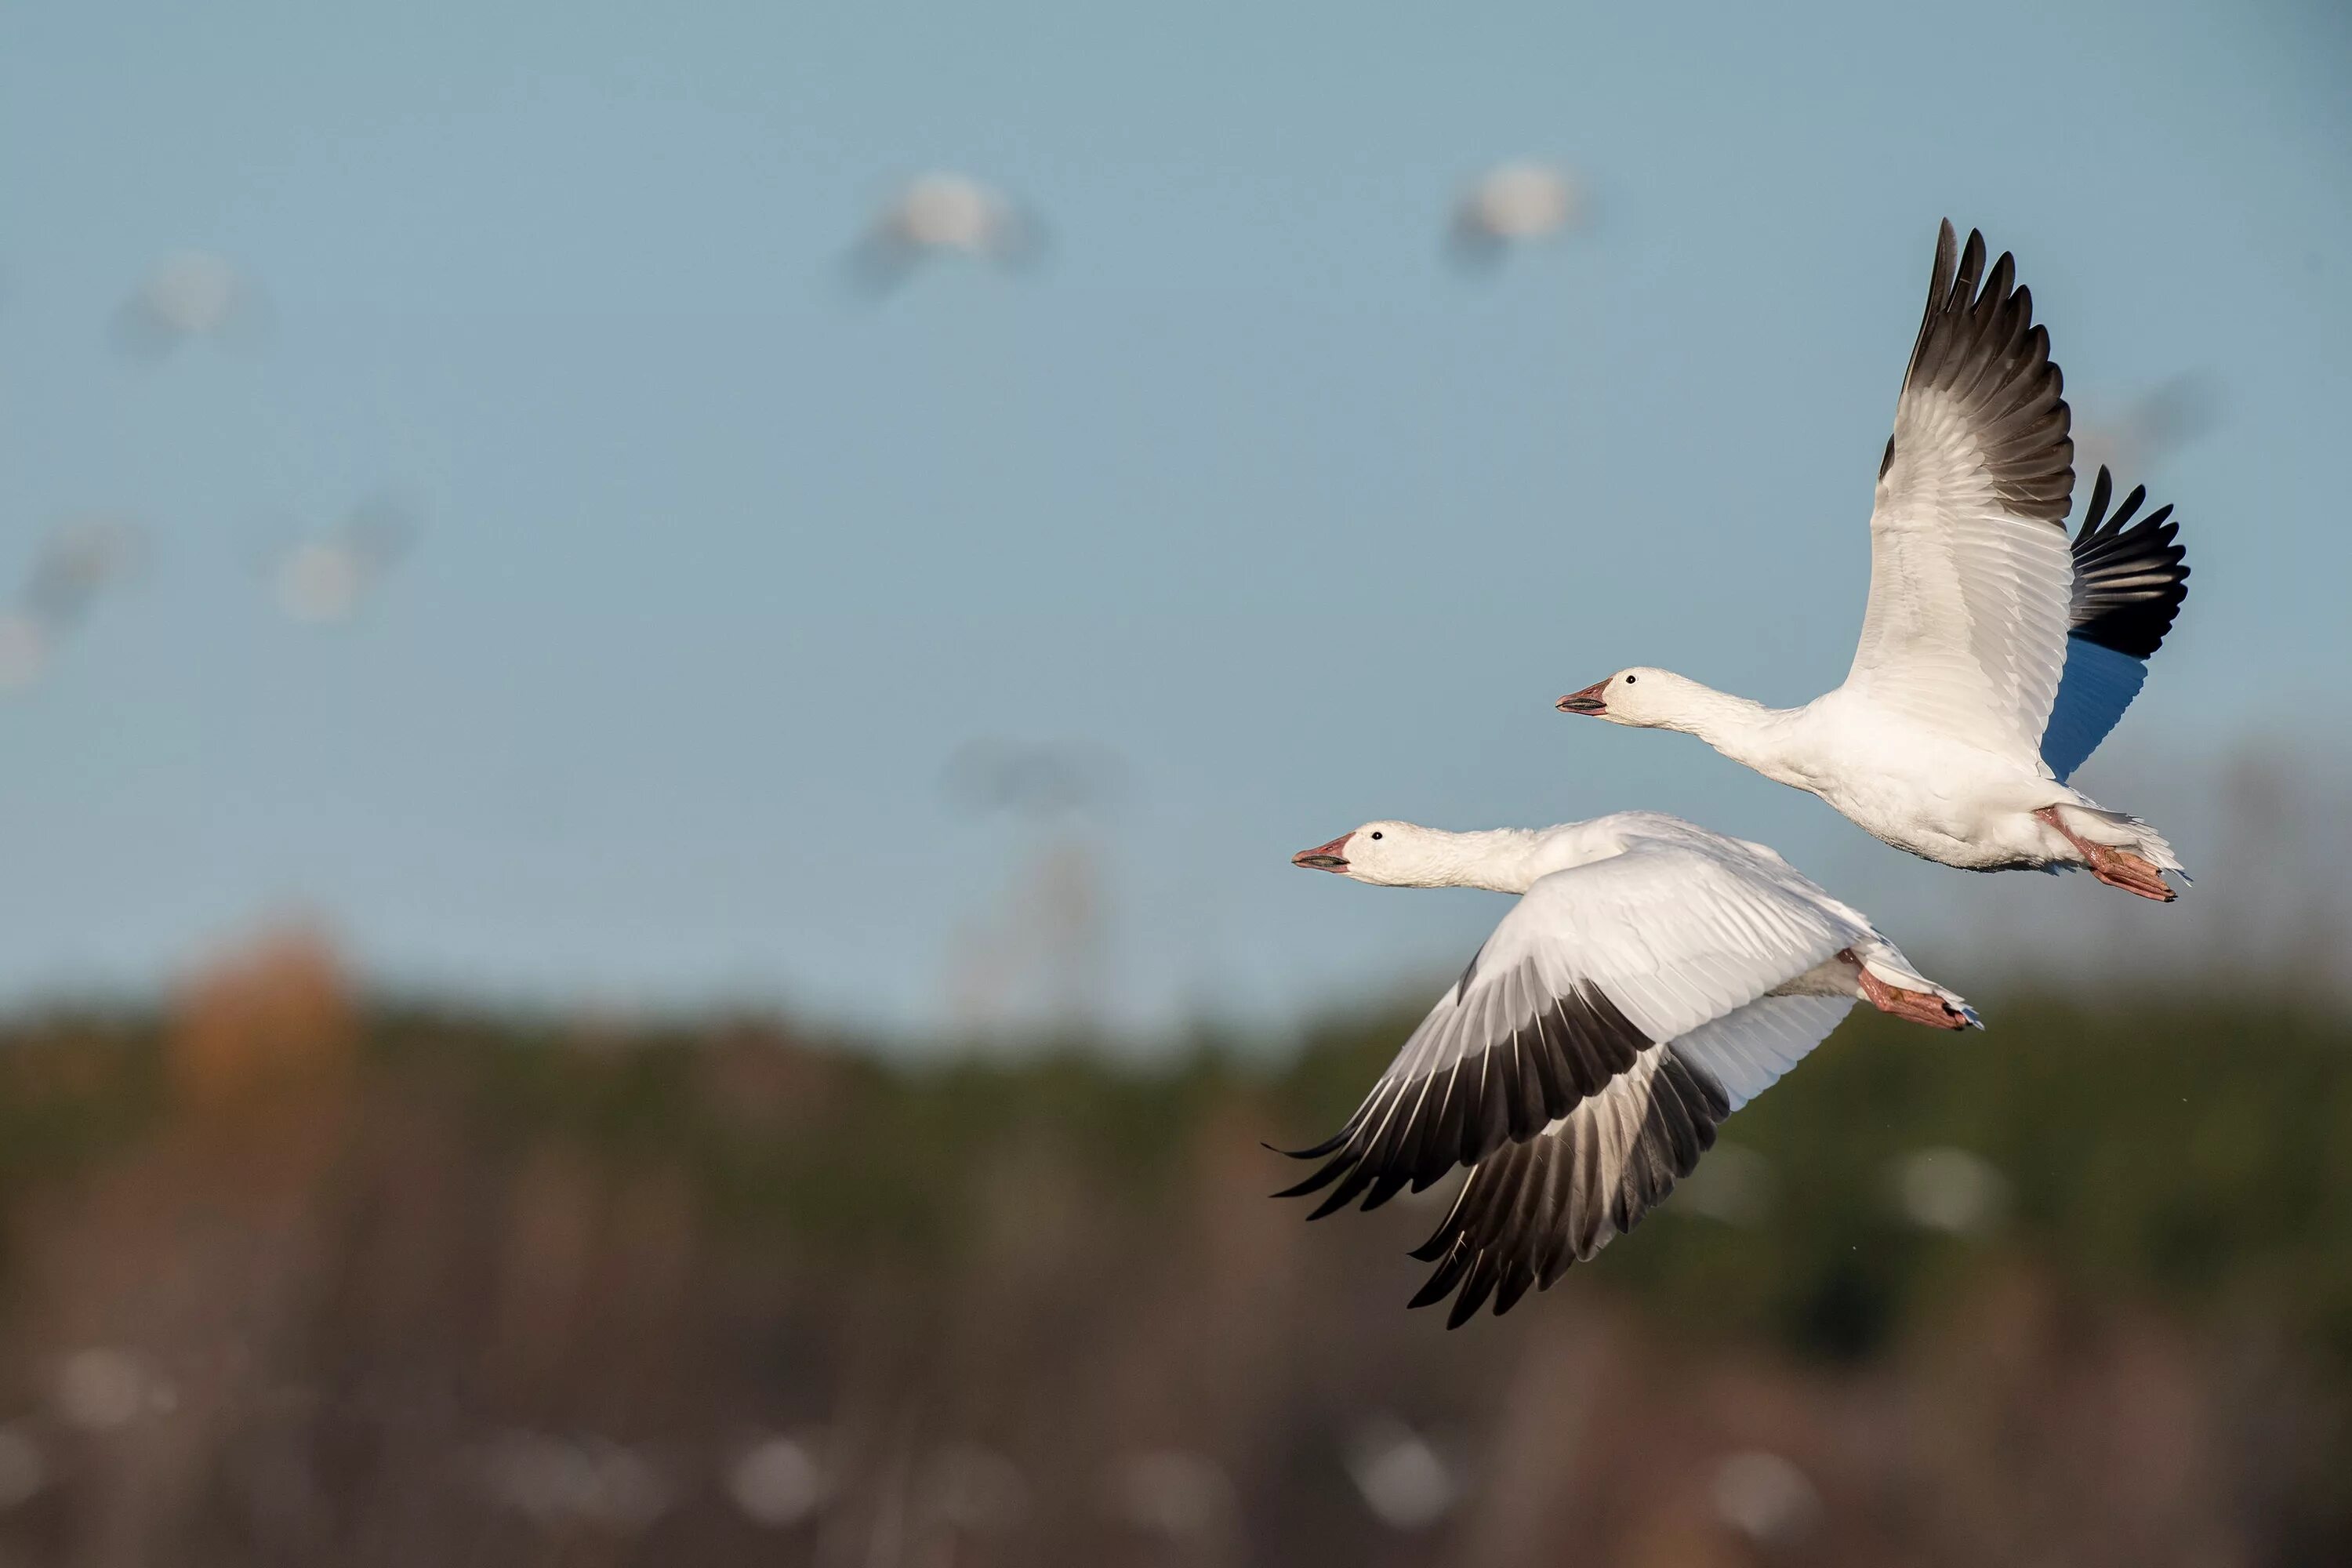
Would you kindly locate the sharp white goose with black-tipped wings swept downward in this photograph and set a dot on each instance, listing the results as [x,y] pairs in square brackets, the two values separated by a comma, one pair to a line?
[1652,979]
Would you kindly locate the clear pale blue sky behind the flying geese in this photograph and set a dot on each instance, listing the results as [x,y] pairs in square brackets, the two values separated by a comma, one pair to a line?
[721,565]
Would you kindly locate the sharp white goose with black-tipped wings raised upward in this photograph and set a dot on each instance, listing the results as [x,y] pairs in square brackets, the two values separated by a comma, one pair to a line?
[1993,659]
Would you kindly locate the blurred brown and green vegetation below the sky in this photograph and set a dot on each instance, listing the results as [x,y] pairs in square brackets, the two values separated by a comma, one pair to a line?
[305,1275]
